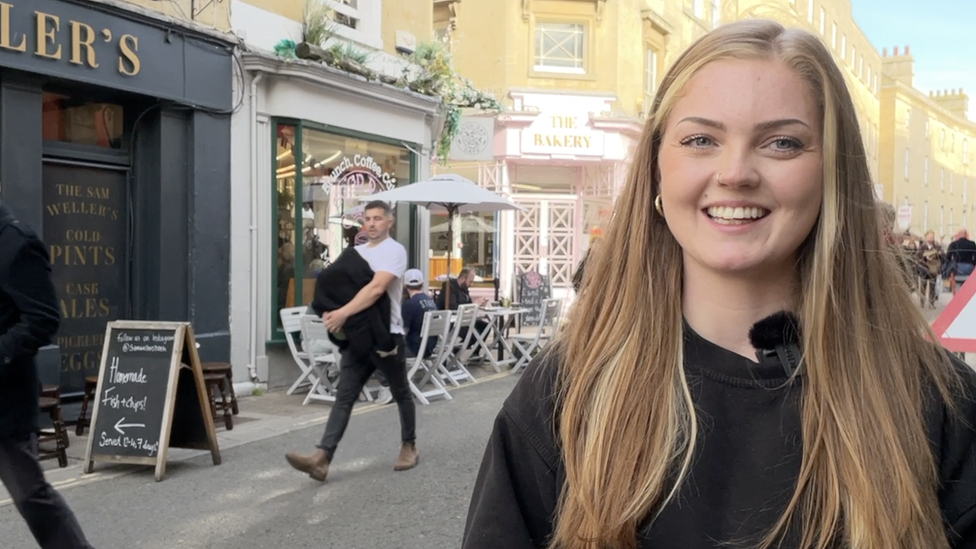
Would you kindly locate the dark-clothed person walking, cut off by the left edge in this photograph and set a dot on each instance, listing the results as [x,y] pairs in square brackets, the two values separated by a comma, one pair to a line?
[29,319]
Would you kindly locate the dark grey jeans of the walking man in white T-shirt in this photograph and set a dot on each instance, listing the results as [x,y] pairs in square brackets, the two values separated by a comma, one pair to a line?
[353,376]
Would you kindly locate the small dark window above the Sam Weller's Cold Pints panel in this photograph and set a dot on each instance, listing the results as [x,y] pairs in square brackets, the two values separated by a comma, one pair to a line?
[80,121]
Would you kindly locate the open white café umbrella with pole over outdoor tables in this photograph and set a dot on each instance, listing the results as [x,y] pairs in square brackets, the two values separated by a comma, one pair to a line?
[447,193]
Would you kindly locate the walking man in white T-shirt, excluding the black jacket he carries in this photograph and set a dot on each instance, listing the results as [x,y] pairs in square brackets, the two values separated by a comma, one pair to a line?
[388,260]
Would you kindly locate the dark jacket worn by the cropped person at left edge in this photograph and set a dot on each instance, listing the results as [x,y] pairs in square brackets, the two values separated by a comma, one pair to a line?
[29,319]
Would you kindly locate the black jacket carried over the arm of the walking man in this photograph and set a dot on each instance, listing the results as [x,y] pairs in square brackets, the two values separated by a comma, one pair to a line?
[367,331]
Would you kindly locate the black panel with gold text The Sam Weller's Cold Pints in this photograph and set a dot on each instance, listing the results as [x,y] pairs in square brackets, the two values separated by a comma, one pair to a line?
[86,232]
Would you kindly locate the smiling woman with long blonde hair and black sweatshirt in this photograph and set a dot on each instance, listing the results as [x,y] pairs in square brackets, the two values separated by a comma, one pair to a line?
[651,424]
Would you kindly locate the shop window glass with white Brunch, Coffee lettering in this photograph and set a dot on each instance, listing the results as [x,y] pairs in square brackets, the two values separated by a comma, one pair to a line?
[320,178]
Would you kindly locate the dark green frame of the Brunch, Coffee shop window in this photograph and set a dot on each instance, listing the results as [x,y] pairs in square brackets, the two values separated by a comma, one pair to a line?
[277,335]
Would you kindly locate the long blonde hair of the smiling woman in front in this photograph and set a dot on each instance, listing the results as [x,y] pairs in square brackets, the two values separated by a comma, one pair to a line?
[626,420]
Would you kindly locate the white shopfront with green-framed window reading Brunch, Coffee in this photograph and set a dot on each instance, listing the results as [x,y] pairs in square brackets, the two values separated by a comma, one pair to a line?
[309,143]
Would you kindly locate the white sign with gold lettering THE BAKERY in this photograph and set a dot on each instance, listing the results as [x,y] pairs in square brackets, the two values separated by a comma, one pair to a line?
[562,135]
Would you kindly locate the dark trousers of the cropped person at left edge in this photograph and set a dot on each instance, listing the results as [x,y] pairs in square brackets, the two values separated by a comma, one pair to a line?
[47,514]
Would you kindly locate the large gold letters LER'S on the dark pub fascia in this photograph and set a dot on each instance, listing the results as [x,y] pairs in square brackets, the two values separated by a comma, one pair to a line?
[82,36]
